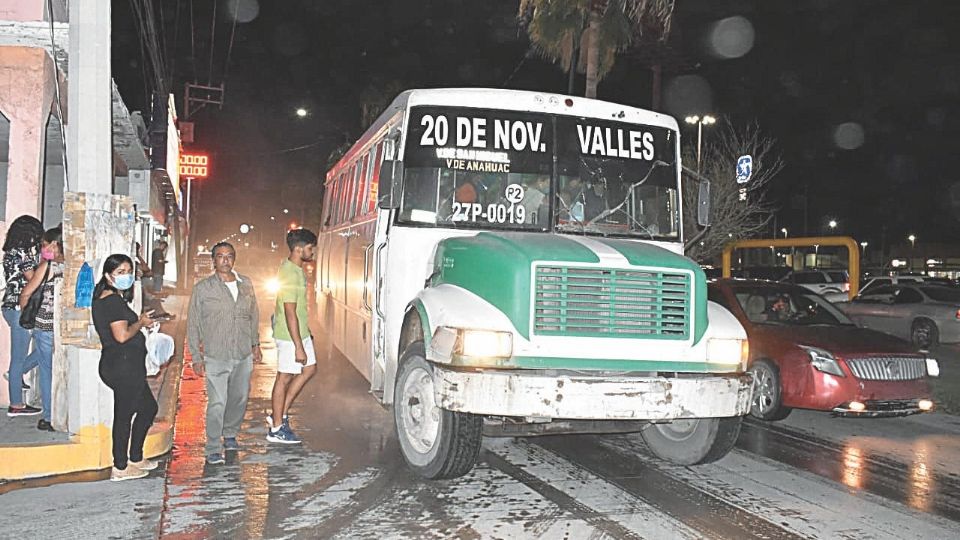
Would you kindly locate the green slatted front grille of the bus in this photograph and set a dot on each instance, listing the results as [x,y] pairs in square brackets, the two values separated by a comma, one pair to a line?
[611,302]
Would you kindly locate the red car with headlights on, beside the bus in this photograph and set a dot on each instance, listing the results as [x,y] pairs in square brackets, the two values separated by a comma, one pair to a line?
[806,354]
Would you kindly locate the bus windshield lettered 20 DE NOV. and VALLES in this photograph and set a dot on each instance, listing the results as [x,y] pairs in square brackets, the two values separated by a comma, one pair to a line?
[495,169]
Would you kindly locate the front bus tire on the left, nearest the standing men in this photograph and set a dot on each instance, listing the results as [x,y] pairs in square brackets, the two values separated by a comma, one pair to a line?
[435,443]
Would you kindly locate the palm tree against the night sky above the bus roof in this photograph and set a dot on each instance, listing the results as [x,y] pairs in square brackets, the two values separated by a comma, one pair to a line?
[591,32]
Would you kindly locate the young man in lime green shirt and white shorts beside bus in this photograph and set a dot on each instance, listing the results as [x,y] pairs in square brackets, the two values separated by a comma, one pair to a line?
[296,358]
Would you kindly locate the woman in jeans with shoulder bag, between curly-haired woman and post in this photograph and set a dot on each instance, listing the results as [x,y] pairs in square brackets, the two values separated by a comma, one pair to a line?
[46,276]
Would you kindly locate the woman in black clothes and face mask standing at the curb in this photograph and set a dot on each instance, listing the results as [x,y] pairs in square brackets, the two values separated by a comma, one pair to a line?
[122,366]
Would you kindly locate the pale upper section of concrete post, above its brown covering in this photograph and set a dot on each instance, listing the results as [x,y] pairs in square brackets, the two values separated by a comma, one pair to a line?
[89,136]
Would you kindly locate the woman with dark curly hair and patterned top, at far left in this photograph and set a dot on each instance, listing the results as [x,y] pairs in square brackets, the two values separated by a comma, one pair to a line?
[21,254]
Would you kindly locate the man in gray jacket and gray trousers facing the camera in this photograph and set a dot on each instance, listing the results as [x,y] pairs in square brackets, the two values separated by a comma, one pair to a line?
[223,335]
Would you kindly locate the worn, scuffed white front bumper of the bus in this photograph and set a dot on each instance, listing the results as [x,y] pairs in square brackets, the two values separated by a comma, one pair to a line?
[512,393]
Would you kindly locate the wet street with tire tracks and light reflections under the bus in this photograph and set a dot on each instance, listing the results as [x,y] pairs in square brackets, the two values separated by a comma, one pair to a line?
[811,476]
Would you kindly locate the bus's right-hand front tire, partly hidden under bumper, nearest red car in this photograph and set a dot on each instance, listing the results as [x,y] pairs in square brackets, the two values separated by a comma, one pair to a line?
[694,441]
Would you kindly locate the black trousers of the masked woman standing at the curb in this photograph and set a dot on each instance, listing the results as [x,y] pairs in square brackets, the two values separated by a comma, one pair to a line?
[132,401]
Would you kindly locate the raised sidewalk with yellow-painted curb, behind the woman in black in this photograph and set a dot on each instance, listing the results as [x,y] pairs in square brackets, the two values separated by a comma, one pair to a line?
[26,452]
